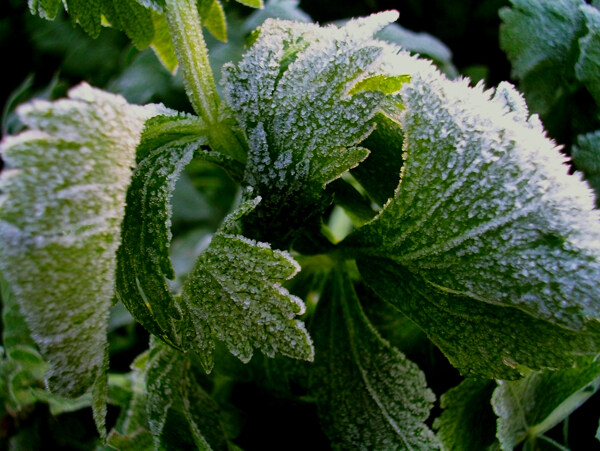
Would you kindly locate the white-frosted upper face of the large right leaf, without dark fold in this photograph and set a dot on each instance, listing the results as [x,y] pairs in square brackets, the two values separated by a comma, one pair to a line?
[485,208]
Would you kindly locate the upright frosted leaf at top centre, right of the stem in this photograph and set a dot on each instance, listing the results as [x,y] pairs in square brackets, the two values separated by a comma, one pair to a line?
[291,94]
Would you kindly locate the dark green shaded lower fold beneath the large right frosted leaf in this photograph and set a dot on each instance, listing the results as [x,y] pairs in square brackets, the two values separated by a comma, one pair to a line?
[478,338]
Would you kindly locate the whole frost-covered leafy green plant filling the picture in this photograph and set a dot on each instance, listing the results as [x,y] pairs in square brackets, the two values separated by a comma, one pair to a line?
[385,212]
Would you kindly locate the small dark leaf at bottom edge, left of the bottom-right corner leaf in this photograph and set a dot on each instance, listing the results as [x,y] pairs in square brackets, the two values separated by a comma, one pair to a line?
[468,422]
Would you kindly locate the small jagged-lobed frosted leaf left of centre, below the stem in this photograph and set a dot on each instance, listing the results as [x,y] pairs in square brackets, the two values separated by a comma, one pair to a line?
[235,294]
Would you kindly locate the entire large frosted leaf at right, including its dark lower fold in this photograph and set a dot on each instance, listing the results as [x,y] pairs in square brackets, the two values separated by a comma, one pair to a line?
[485,221]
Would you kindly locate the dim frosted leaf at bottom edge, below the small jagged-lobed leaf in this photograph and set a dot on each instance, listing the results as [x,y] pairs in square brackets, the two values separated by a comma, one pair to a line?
[180,414]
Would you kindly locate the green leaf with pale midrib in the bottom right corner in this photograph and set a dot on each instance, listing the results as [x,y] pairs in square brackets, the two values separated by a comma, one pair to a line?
[528,408]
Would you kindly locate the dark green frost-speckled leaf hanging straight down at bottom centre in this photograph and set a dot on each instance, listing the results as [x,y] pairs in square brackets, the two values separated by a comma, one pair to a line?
[369,395]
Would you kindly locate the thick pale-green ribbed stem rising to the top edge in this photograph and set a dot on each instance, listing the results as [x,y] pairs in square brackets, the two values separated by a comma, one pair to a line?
[186,29]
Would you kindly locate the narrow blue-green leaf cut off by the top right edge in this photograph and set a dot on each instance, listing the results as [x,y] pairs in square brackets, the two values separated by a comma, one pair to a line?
[587,68]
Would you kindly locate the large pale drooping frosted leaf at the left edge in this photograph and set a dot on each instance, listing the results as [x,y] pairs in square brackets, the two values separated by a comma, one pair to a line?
[62,204]
